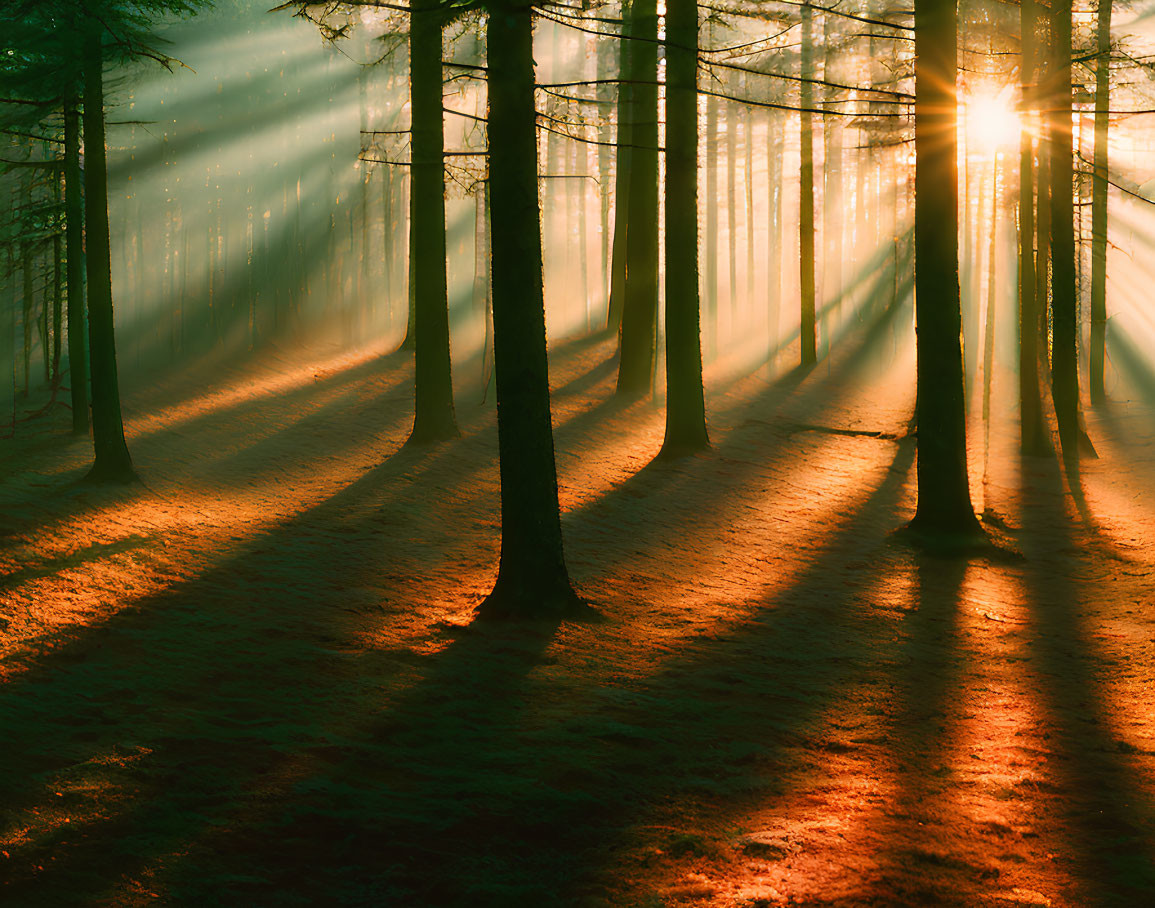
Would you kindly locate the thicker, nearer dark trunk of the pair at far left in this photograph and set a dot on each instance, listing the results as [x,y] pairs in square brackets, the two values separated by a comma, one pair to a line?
[113,460]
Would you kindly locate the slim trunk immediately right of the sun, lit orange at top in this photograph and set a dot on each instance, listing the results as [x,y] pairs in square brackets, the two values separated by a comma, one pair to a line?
[1032,434]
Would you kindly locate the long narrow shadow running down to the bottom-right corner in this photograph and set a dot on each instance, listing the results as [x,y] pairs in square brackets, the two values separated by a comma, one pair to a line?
[1109,821]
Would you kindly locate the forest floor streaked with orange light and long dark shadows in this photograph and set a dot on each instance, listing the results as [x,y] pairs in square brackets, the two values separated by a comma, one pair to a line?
[255,679]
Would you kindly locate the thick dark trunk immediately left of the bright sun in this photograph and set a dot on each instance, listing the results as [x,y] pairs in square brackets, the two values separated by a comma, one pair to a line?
[944,492]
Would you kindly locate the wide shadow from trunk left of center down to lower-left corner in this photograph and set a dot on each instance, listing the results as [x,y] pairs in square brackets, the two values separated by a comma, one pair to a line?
[210,683]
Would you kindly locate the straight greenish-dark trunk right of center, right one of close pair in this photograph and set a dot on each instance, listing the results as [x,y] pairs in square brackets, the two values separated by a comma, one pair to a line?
[685,410]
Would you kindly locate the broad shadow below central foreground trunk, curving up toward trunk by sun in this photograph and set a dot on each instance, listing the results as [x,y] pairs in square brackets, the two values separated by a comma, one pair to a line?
[526,800]
